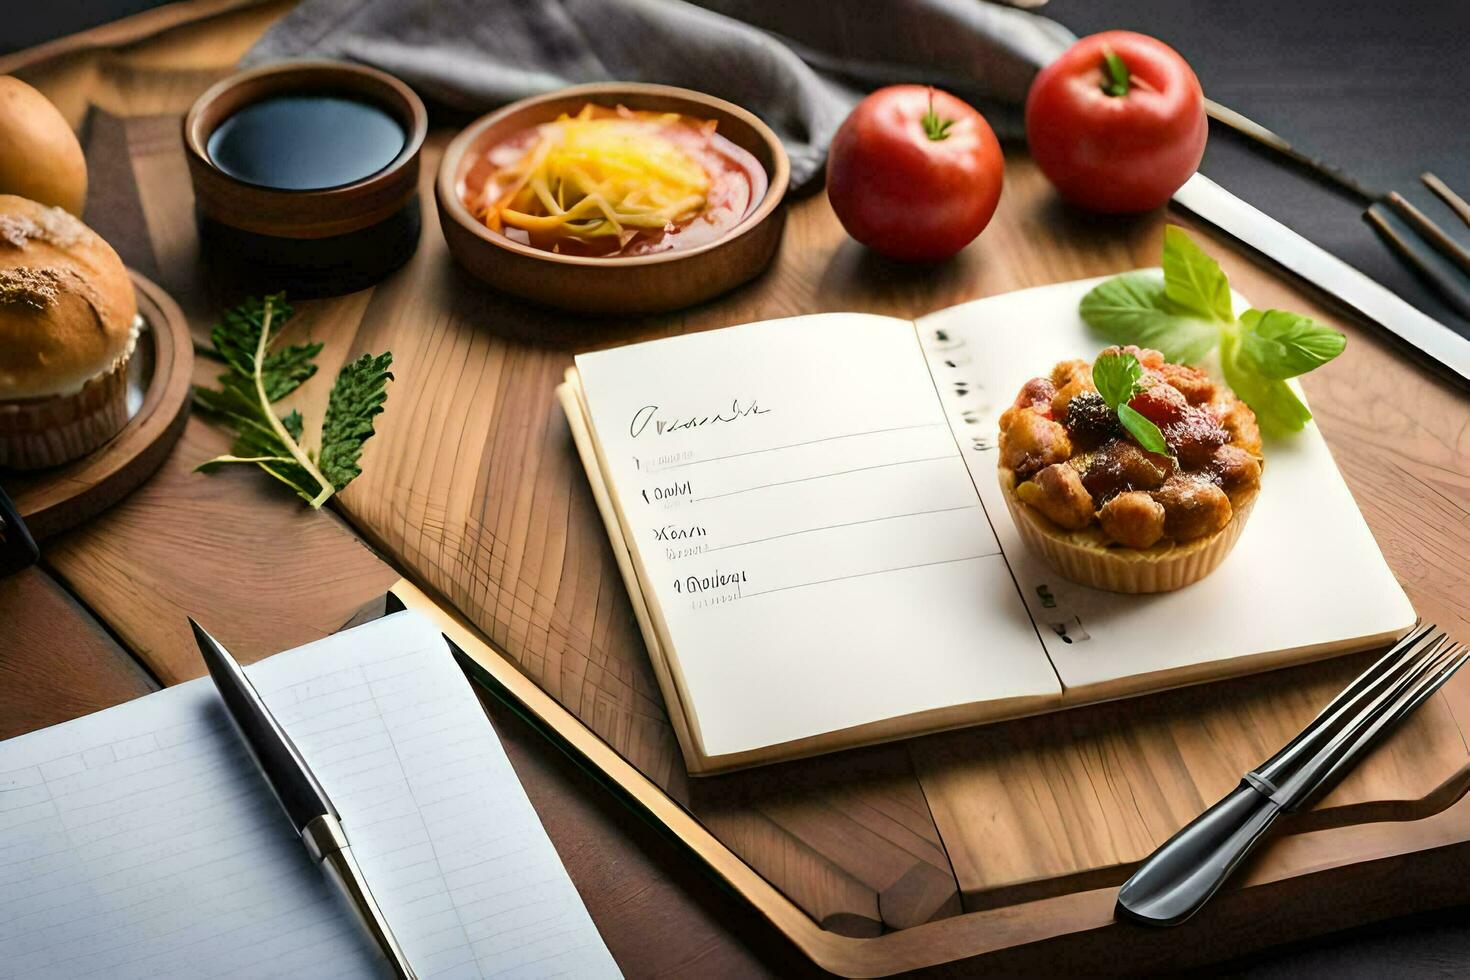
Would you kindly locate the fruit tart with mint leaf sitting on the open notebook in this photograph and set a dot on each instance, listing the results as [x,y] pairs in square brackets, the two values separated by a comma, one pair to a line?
[1140,487]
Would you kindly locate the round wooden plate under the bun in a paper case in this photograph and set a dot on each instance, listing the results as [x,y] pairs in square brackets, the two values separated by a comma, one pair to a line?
[159,384]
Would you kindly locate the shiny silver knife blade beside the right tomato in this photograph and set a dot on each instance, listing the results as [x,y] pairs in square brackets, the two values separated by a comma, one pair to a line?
[1325,271]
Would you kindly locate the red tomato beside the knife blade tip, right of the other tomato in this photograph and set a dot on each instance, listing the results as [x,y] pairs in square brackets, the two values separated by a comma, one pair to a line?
[1119,134]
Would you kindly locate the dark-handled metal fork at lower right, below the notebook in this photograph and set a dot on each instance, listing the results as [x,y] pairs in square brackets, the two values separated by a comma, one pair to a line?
[1181,876]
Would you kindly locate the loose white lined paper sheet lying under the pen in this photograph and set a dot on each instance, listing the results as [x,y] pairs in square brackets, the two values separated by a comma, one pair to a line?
[143,843]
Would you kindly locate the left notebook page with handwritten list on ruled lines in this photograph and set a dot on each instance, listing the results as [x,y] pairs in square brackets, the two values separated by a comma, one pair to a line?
[808,530]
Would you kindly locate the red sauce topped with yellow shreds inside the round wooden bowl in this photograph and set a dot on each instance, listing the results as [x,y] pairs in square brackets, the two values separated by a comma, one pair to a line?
[574,190]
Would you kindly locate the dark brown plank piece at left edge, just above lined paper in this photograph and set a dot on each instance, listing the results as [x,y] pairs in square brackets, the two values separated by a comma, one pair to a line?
[57,662]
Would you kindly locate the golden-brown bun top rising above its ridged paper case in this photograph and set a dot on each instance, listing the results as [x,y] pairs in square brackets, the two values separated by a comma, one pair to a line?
[67,305]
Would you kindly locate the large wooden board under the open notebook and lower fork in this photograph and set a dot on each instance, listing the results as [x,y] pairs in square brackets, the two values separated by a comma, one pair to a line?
[1003,843]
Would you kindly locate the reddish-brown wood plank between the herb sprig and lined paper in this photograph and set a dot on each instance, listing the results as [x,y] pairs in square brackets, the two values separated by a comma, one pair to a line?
[237,553]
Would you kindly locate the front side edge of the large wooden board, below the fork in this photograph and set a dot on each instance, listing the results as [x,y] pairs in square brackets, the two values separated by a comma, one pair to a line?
[1309,882]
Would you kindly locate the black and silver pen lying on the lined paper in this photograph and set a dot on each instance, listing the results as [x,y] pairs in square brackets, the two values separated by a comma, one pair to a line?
[301,796]
